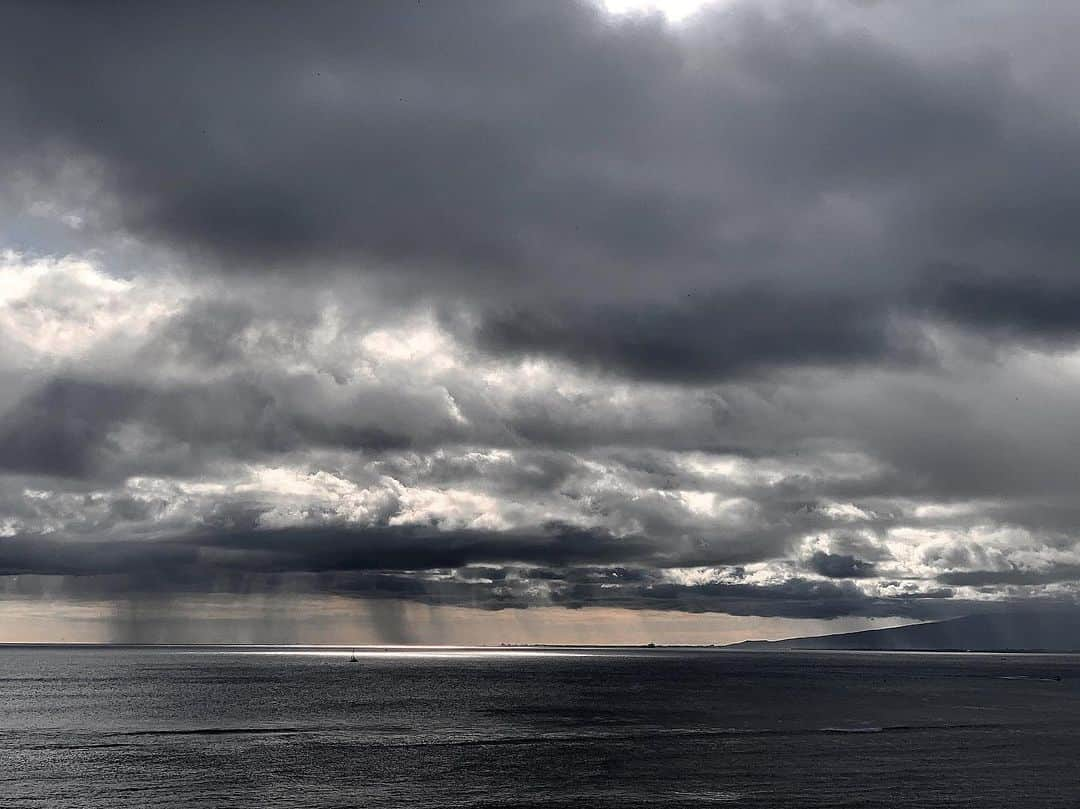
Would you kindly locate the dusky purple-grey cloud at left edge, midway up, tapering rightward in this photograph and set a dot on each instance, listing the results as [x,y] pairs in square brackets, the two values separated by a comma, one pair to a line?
[69,427]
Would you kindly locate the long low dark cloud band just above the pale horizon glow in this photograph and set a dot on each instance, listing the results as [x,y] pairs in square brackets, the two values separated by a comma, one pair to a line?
[369,565]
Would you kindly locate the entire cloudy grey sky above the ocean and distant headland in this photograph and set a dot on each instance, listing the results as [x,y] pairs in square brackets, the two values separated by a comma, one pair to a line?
[532,322]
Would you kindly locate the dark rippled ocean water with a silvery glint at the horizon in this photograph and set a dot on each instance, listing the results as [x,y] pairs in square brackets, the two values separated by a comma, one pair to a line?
[197,729]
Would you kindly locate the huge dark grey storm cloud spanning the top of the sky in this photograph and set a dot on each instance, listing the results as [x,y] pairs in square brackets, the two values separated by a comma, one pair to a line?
[758,190]
